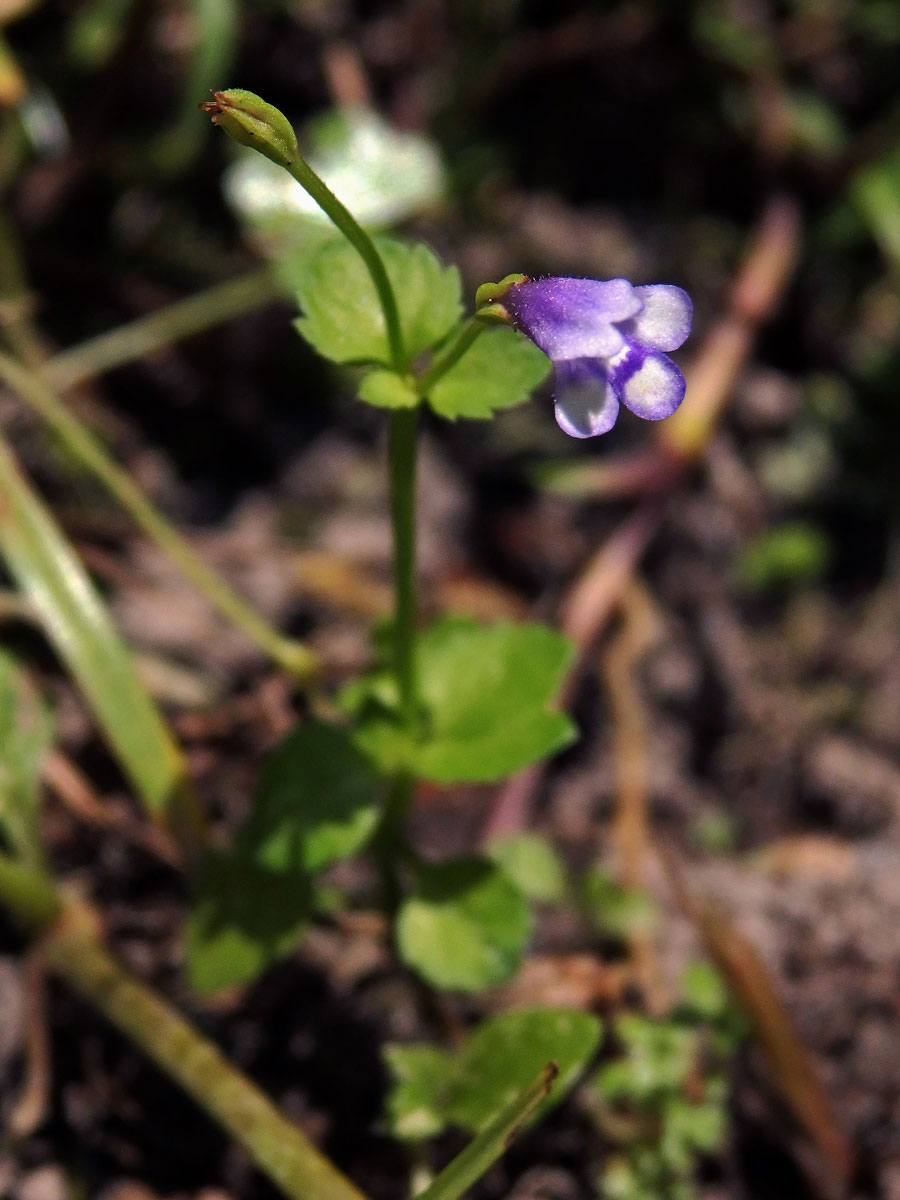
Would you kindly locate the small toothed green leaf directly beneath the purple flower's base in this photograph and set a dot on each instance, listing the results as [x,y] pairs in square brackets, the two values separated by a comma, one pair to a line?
[502,369]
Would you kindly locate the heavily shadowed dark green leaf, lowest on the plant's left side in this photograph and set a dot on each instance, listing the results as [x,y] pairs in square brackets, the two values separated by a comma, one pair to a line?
[244,916]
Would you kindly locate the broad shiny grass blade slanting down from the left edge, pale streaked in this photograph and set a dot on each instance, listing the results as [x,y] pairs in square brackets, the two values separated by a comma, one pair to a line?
[77,623]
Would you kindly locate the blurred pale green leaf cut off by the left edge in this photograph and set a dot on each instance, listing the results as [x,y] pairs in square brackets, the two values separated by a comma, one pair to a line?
[27,733]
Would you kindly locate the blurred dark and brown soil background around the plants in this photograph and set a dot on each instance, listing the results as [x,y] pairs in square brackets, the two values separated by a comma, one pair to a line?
[638,139]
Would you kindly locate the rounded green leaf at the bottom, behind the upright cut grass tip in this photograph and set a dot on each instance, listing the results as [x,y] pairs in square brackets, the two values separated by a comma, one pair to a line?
[506,1052]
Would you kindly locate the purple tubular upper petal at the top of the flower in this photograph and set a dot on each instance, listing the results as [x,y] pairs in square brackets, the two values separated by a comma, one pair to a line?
[573,319]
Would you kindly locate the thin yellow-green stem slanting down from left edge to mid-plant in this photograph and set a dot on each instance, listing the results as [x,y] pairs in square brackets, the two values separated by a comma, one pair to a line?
[86,447]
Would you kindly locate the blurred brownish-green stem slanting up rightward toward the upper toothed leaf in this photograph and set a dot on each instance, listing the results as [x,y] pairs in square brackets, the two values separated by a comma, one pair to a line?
[163,328]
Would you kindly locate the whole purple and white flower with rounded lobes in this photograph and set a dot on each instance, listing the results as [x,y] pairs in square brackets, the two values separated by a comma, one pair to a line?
[608,343]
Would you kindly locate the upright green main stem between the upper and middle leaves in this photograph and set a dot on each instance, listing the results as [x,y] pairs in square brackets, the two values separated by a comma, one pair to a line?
[404,428]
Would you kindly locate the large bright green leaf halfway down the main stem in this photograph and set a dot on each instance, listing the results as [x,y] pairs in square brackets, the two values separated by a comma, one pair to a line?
[487,692]
